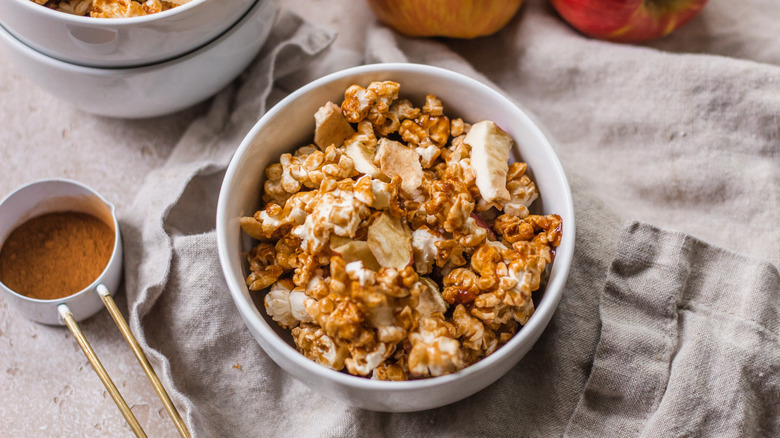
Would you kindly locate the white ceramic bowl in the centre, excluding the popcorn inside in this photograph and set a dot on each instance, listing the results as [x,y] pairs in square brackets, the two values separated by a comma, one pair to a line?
[290,124]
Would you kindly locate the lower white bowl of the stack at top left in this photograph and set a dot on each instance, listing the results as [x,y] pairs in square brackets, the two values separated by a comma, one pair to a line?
[152,90]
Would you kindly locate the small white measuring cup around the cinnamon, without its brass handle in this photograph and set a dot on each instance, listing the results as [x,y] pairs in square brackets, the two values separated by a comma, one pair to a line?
[50,196]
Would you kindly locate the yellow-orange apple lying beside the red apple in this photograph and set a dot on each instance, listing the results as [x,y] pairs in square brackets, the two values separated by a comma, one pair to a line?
[463,19]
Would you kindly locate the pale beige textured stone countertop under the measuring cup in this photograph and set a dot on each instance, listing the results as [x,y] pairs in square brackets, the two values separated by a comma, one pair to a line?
[47,386]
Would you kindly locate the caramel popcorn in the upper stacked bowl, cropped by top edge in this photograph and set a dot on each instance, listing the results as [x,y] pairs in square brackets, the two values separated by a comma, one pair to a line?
[111,8]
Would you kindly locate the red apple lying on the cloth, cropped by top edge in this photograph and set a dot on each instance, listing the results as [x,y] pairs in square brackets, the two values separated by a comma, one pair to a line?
[627,21]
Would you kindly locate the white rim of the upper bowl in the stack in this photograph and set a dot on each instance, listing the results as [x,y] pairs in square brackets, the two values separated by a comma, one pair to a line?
[50,61]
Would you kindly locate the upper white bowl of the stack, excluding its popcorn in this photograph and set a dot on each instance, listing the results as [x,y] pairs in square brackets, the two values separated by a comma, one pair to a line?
[120,42]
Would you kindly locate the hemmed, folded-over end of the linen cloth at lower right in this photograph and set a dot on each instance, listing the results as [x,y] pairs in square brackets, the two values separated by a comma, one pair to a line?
[680,353]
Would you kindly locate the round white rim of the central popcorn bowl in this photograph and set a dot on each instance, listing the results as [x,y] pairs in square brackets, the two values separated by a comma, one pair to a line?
[247,309]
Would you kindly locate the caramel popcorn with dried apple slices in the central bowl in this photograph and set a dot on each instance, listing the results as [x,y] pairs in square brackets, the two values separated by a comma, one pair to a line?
[399,245]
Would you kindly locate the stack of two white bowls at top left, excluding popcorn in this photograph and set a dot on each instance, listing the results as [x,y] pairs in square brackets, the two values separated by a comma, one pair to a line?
[135,67]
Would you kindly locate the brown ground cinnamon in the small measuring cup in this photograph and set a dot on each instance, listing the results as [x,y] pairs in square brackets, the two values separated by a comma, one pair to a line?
[55,255]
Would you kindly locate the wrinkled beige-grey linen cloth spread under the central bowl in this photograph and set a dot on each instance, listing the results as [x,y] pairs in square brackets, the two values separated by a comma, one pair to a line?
[669,324]
